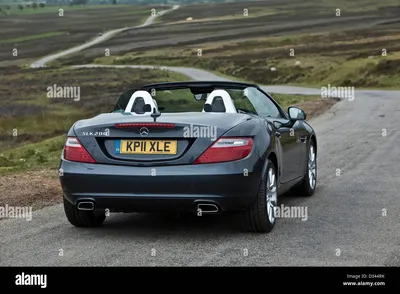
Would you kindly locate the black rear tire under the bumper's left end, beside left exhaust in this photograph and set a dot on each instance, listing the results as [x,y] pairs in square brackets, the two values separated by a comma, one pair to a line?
[82,218]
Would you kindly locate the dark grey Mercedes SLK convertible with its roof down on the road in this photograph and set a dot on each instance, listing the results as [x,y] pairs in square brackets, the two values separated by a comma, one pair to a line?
[201,147]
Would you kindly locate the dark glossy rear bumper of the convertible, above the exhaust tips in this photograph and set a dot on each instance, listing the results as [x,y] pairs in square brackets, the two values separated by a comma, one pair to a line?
[231,186]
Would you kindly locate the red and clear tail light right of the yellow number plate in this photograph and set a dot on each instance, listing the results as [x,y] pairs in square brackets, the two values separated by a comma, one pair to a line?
[226,149]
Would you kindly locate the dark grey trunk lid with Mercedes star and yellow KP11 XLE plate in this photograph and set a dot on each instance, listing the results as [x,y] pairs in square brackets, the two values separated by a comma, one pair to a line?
[177,138]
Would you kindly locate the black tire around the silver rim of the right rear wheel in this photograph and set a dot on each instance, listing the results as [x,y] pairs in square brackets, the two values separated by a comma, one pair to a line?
[256,217]
